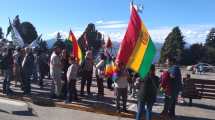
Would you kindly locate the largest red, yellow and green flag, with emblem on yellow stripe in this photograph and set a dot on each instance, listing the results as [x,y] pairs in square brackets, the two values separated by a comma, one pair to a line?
[137,49]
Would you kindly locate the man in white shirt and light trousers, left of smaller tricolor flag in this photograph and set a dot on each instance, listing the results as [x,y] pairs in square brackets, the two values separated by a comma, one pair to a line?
[55,72]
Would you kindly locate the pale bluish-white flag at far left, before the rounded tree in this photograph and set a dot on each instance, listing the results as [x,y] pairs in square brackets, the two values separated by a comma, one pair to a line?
[16,37]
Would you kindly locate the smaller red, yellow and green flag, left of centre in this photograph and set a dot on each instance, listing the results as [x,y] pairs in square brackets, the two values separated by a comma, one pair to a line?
[76,51]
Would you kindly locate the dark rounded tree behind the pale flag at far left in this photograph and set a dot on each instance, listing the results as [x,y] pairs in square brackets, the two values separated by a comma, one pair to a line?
[28,32]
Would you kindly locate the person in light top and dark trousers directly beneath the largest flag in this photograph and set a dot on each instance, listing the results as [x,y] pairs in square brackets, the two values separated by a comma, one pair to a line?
[121,87]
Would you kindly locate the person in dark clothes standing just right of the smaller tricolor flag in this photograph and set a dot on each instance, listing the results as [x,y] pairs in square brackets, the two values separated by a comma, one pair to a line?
[87,72]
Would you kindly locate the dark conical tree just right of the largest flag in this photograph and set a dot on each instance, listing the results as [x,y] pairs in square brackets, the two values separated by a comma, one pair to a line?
[173,46]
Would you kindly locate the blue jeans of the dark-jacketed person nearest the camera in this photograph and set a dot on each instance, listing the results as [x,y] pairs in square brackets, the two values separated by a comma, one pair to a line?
[141,108]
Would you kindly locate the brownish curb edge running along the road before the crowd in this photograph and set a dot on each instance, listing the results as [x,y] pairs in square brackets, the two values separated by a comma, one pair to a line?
[41,101]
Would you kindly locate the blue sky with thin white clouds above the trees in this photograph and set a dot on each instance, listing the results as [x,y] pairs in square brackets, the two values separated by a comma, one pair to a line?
[195,17]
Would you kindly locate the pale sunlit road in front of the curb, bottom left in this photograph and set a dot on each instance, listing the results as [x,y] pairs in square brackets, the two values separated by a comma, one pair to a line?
[18,110]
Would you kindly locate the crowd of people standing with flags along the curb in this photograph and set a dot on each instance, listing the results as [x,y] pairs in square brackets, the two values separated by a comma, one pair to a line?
[64,71]
